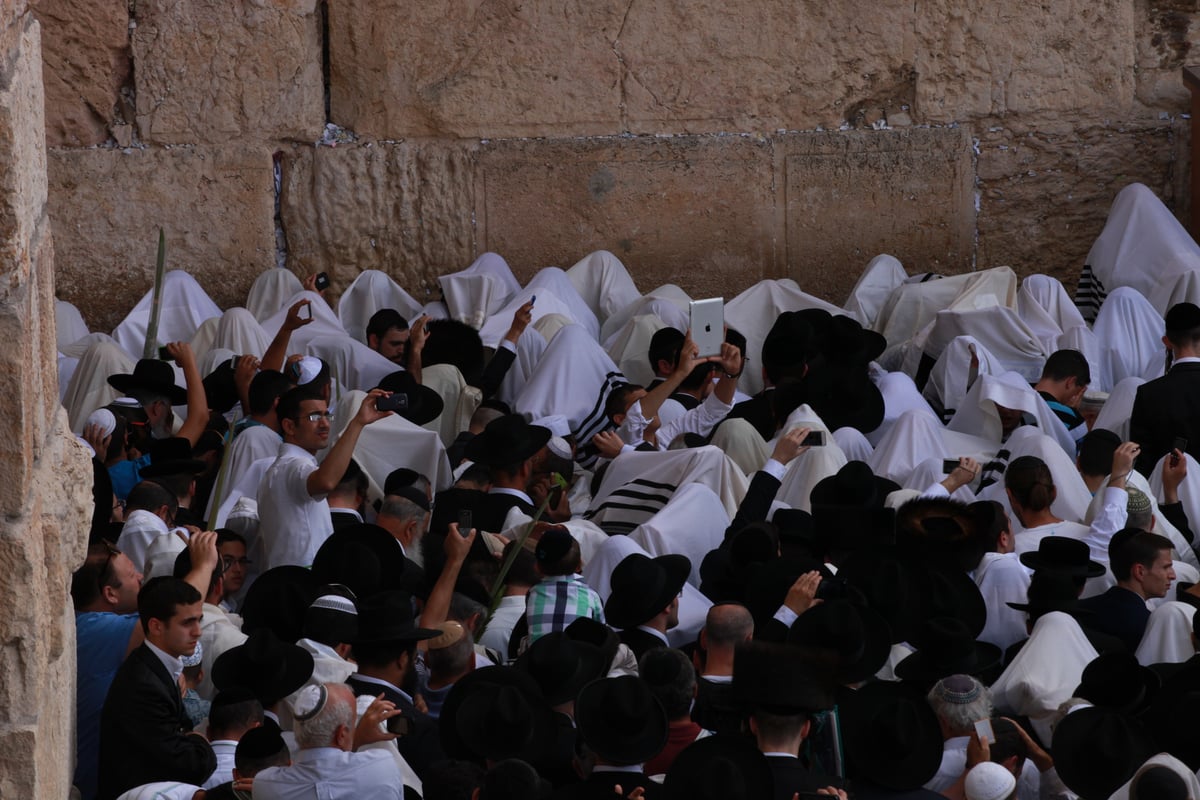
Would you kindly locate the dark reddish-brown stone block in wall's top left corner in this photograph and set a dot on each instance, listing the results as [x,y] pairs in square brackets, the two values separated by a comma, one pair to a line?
[86,47]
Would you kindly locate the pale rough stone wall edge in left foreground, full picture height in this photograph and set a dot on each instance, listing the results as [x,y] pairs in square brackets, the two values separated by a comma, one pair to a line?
[45,476]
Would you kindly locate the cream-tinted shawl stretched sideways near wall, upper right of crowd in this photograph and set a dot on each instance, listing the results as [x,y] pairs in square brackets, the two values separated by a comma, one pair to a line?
[914,306]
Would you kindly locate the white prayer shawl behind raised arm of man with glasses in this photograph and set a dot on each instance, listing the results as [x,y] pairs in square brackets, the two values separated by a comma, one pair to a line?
[393,443]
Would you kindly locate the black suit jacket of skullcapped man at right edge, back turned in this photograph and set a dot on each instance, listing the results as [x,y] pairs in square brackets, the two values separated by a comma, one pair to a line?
[1163,410]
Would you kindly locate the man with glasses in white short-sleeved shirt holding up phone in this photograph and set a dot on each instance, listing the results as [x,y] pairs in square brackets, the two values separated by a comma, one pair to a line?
[292,508]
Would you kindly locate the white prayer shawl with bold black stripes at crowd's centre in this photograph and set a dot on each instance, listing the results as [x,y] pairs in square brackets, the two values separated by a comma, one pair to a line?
[638,485]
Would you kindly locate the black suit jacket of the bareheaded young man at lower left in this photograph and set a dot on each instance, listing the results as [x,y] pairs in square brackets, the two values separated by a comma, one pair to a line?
[145,731]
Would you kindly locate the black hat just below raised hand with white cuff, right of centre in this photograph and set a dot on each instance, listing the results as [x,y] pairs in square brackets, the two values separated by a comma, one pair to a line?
[859,636]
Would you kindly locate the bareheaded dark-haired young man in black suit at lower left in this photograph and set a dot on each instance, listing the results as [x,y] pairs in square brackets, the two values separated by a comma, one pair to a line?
[145,732]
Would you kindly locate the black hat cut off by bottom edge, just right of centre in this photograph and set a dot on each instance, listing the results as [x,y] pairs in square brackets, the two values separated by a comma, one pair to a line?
[719,768]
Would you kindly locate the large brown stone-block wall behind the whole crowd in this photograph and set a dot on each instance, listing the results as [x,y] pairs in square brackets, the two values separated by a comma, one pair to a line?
[706,143]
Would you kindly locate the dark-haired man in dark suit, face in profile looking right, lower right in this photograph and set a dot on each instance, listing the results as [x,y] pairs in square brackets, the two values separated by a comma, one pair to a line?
[1142,566]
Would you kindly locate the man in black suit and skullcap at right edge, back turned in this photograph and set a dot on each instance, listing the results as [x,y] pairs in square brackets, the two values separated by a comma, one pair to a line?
[1169,407]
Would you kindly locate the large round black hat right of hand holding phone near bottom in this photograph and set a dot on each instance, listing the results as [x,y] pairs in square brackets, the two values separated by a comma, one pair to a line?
[496,713]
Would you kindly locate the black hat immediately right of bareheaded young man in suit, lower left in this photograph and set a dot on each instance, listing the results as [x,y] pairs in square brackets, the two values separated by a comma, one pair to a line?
[265,665]
